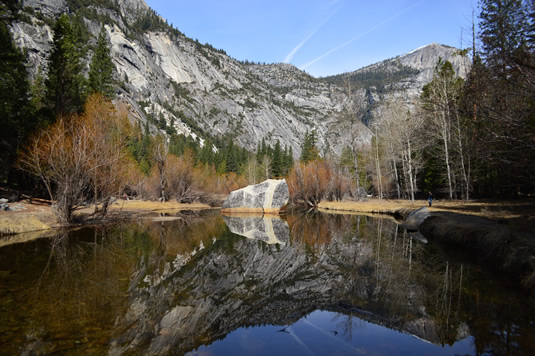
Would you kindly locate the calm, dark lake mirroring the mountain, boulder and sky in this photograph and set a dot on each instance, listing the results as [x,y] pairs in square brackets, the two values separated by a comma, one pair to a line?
[198,283]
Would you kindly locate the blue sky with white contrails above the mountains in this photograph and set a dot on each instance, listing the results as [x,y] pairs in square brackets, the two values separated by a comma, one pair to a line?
[321,37]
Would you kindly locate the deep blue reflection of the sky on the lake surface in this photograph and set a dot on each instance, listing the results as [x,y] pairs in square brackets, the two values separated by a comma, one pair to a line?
[326,333]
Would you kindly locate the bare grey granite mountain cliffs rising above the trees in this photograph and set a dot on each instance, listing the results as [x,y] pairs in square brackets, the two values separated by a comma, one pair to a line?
[202,92]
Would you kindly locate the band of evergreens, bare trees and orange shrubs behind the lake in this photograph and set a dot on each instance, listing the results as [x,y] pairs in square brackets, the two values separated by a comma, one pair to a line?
[474,137]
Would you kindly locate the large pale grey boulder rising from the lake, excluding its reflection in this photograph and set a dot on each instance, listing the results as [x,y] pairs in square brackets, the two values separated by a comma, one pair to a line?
[267,197]
